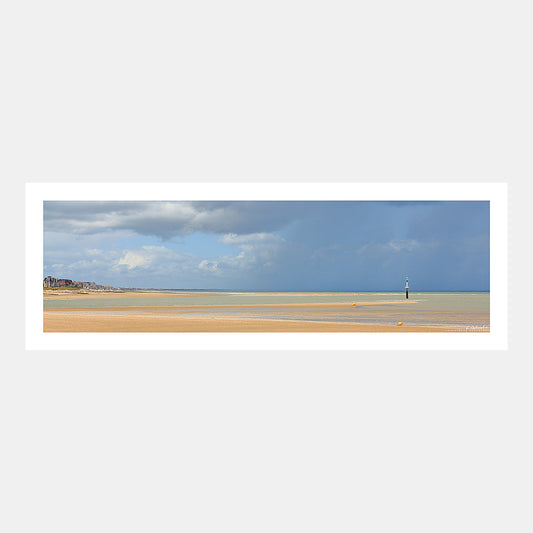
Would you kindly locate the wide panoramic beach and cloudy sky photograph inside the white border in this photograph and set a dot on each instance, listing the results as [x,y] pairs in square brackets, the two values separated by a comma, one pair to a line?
[266,266]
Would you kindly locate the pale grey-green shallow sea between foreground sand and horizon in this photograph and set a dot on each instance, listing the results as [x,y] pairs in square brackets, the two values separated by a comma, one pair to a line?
[462,310]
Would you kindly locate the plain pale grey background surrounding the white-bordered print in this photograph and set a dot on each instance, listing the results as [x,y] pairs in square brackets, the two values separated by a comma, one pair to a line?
[258,441]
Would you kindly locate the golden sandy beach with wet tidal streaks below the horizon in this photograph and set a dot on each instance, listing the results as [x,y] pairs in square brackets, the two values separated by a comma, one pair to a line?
[166,311]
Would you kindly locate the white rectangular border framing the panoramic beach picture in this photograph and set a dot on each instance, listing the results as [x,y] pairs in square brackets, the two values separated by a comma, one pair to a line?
[496,193]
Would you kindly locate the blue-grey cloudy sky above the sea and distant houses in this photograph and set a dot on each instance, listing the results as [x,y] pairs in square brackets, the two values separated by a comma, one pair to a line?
[270,245]
